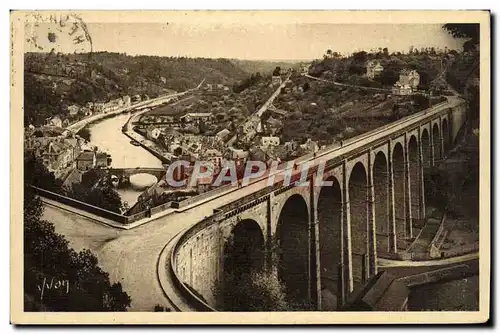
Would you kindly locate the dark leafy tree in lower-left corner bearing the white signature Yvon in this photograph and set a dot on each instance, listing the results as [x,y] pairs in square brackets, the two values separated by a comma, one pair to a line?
[71,281]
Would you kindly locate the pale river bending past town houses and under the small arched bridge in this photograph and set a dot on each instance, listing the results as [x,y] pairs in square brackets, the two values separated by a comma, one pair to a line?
[108,137]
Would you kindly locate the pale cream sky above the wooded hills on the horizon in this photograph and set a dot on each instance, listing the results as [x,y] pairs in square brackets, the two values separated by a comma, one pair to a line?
[281,41]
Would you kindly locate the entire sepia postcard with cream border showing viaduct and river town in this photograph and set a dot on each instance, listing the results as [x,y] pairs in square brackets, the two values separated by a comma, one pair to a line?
[250,167]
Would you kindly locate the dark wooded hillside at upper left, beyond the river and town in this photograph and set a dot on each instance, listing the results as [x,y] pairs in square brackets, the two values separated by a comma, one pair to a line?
[52,81]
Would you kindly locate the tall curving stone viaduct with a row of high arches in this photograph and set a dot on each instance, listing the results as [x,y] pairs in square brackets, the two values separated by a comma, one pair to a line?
[323,242]
